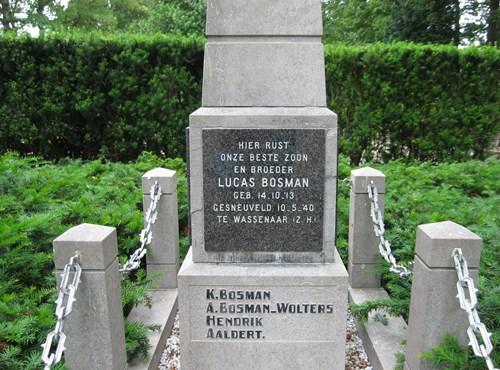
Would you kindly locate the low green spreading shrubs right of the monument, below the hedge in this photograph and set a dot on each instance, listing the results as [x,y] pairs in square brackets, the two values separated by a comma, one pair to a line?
[465,193]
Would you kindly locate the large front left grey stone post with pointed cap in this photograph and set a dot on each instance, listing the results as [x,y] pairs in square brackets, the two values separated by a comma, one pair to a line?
[95,328]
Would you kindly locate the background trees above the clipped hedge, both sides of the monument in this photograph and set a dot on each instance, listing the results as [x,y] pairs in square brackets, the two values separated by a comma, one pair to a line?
[351,21]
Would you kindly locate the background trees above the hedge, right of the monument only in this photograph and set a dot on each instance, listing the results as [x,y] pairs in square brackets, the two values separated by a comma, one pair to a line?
[463,22]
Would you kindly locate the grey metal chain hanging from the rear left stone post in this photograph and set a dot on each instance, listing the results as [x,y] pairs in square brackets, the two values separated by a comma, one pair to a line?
[146,234]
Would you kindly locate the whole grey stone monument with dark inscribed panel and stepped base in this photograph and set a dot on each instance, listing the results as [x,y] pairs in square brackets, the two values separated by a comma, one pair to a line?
[262,285]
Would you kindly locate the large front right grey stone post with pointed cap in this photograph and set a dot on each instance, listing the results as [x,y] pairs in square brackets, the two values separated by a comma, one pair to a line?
[435,309]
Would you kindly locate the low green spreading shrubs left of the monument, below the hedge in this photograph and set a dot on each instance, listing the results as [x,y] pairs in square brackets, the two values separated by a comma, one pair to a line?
[40,200]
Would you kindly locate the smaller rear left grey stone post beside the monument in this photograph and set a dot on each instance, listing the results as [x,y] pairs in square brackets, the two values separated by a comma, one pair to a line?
[163,253]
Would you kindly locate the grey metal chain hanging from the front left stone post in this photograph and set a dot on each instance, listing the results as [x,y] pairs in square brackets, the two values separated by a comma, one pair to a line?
[65,299]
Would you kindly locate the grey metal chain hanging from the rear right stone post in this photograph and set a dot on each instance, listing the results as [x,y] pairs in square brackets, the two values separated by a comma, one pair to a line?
[378,226]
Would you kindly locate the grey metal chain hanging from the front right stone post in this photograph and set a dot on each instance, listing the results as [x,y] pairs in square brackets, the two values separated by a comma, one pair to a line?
[468,301]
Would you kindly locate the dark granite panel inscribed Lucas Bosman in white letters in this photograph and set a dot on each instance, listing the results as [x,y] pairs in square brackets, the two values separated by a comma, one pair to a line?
[263,190]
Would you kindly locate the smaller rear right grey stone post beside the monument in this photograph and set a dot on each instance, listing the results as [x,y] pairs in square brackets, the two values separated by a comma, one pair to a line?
[363,243]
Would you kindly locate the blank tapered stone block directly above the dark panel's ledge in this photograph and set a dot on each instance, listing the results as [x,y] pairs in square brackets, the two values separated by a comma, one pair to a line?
[241,74]
